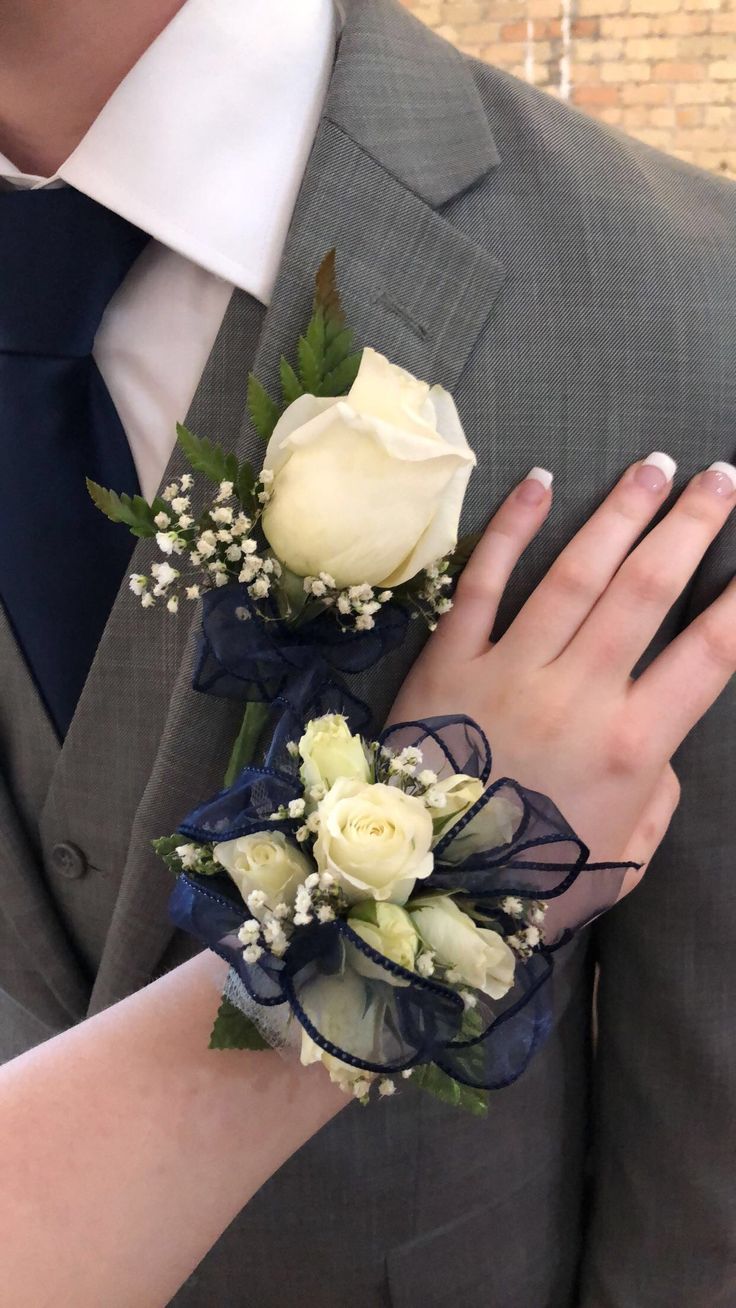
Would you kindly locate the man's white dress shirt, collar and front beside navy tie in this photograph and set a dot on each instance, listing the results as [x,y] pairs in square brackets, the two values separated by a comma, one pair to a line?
[203,146]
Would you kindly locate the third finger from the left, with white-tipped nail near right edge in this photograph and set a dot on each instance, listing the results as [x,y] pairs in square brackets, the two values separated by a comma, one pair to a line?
[636,604]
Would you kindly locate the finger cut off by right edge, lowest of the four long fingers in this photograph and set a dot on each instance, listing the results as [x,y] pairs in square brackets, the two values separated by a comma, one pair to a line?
[690,676]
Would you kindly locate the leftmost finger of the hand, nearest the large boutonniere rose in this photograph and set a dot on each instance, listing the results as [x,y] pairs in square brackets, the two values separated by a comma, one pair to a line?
[465,632]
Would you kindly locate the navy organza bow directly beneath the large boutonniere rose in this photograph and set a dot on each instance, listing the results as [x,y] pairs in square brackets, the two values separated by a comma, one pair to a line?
[257,656]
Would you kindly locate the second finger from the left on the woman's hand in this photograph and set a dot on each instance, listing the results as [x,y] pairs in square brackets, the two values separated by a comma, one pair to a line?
[560,605]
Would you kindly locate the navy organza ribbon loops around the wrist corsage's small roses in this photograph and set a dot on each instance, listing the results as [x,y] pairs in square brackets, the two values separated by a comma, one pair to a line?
[512,843]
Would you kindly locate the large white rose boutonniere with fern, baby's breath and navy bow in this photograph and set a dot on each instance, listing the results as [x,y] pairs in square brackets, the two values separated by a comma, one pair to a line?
[310,567]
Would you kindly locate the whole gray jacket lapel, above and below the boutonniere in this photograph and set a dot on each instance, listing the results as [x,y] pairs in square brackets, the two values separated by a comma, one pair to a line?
[414,287]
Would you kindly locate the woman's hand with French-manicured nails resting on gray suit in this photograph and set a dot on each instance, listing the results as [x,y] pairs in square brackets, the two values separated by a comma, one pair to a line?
[555,695]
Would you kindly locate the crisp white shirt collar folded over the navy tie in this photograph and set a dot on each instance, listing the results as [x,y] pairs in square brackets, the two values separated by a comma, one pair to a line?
[206,142]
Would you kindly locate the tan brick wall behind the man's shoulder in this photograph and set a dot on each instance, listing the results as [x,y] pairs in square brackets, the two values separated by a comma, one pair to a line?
[661,70]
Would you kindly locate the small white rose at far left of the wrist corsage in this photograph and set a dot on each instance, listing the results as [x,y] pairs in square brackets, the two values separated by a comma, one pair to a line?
[267,863]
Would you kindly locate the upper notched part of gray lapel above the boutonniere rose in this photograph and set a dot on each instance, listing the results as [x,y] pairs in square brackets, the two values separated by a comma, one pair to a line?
[403,131]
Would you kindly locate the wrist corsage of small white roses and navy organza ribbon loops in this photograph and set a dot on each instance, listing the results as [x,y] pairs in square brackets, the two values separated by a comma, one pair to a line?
[385,910]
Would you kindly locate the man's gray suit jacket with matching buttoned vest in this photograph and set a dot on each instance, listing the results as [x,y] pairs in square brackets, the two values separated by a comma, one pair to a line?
[577,294]
